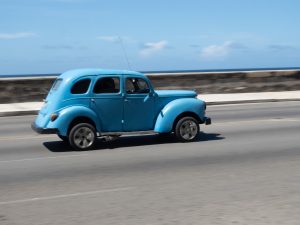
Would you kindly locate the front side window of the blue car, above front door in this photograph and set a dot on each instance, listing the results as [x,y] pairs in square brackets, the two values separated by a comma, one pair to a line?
[136,86]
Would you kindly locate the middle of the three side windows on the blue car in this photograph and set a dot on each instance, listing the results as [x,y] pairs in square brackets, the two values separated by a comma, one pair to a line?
[107,85]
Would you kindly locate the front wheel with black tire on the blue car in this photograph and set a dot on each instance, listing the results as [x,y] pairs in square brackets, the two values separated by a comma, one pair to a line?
[187,129]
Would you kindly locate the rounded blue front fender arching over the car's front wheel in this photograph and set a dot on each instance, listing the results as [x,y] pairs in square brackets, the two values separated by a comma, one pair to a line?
[167,116]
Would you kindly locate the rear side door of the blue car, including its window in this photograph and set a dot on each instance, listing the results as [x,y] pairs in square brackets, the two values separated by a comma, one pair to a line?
[107,102]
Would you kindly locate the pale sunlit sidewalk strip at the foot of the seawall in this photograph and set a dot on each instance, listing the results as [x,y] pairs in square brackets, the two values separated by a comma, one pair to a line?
[29,108]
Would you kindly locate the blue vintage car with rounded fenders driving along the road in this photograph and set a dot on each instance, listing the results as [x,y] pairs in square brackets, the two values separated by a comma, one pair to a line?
[84,104]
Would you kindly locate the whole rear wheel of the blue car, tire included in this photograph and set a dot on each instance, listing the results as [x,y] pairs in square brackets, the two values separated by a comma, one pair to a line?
[82,136]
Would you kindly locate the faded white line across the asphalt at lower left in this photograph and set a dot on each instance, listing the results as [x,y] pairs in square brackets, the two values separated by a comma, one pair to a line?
[78,194]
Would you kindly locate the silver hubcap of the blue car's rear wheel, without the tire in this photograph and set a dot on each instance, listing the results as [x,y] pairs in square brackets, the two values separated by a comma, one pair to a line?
[84,137]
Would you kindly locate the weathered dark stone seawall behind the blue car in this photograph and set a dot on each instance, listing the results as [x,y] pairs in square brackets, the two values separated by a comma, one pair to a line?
[29,89]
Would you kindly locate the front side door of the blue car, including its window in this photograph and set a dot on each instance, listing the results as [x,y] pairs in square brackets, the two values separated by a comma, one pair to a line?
[138,105]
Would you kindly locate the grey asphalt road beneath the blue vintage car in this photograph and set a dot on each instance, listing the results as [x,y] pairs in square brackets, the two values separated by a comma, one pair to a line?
[244,169]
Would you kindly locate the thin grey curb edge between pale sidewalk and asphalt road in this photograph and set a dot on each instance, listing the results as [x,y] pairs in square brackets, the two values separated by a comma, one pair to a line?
[35,112]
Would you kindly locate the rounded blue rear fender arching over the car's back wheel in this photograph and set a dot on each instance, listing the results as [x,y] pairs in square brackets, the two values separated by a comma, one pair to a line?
[67,115]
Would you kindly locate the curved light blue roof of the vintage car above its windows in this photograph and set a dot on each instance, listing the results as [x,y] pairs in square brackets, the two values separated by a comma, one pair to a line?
[74,74]
